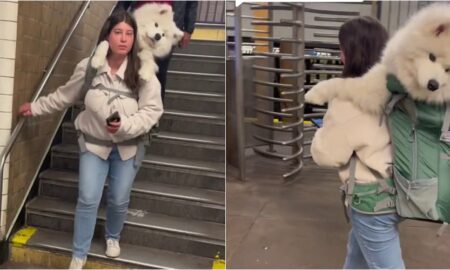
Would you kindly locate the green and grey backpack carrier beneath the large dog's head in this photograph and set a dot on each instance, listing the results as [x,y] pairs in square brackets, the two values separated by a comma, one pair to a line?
[421,147]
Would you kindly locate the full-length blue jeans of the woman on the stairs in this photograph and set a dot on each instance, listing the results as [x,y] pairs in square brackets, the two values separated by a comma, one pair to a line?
[93,173]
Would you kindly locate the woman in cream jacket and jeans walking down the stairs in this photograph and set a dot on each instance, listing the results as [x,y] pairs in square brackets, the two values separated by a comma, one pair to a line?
[108,150]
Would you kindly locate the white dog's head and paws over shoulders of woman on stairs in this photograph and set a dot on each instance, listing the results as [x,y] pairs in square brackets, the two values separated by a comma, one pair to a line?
[157,33]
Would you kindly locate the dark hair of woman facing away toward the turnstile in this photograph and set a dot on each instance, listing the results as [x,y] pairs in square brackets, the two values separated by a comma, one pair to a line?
[362,41]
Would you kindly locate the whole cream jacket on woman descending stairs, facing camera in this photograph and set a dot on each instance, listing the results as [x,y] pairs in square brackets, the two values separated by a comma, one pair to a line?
[137,116]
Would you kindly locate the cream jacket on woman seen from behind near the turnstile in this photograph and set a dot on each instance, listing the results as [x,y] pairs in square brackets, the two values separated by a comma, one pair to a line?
[346,129]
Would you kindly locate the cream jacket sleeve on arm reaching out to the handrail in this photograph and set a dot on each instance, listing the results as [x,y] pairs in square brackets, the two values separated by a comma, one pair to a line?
[64,96]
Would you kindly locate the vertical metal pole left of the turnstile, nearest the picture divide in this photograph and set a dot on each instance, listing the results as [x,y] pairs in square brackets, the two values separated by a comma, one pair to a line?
[239,97]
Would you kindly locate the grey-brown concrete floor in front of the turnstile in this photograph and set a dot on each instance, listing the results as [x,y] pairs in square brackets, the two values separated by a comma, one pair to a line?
[300,224]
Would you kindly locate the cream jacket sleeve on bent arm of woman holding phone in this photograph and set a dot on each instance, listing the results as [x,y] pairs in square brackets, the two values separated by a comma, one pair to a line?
[150,110]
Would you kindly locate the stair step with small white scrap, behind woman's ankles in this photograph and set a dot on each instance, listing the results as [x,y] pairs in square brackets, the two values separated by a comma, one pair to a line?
[141,228]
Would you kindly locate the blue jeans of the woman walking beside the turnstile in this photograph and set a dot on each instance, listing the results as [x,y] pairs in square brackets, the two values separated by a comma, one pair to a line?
[374,242]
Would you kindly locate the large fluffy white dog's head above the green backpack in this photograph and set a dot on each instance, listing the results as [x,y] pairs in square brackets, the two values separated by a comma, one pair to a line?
[419,54]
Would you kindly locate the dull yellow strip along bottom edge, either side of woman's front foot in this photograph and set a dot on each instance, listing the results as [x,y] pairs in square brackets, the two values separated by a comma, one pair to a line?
[56,260]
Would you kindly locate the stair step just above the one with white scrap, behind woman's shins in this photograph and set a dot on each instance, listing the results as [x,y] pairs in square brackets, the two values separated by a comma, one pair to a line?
[149,196]
